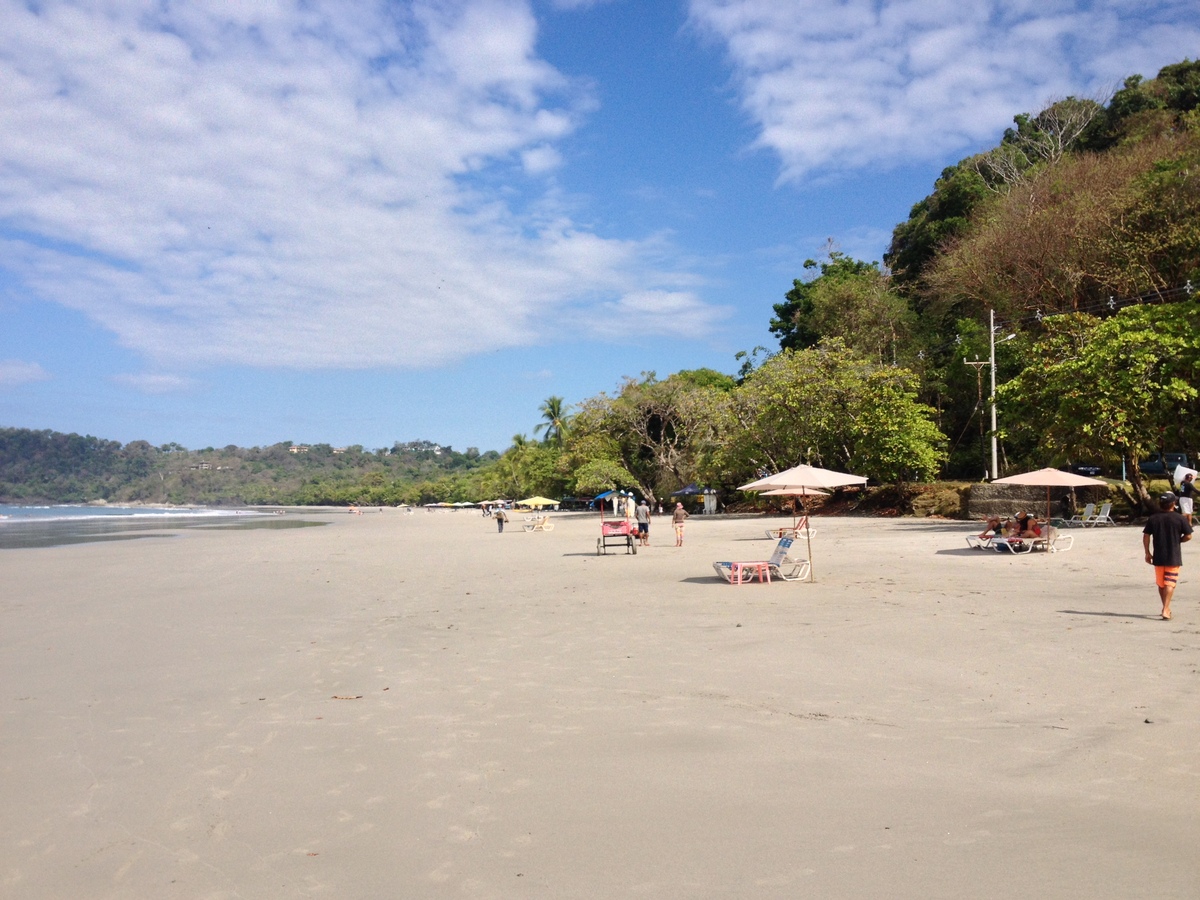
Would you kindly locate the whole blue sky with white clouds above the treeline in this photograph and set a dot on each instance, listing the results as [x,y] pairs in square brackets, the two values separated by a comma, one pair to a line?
[363,223]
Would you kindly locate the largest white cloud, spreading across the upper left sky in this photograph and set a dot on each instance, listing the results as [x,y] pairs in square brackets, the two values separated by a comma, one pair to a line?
[296,184]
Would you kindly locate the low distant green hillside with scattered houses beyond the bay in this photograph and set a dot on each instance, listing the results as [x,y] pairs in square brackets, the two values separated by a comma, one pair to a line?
[51,467]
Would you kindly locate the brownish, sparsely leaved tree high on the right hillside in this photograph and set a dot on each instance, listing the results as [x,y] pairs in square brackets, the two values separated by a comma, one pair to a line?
[1094,226]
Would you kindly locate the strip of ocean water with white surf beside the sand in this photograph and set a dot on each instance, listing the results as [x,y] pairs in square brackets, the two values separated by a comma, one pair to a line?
[57,526]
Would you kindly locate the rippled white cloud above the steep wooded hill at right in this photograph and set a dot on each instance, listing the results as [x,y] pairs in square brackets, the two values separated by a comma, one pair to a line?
[838,86]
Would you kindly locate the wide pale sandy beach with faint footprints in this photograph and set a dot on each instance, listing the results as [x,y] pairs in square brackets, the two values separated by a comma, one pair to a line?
[419,707]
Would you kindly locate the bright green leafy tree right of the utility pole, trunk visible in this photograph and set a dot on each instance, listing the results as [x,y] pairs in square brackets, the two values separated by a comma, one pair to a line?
[1117,389]
